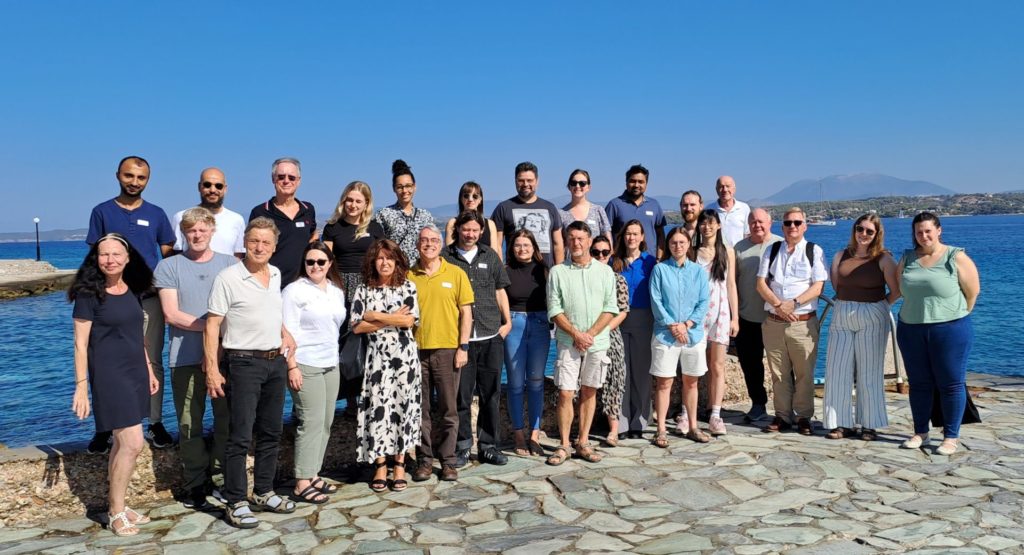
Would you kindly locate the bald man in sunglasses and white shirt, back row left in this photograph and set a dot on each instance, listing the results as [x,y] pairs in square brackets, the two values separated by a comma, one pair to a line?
[228,239]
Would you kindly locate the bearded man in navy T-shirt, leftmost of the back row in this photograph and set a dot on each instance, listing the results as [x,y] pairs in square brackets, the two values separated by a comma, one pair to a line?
[148,230]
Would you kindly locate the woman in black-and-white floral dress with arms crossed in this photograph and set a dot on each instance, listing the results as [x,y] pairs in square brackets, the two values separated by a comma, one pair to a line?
[386,308]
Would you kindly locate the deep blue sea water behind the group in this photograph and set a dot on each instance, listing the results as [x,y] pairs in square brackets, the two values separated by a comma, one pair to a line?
[37,371]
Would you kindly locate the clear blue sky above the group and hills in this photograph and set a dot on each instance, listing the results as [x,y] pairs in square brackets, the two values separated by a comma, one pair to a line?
[770,93]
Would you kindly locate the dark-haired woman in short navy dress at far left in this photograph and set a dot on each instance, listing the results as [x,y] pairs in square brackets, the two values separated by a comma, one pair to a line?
[110,356]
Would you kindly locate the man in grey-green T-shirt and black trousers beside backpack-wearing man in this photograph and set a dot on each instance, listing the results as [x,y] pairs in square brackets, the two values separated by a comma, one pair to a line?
[750,345]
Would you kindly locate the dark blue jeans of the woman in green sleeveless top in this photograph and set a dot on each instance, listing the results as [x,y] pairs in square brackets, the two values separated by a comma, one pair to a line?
[935,357]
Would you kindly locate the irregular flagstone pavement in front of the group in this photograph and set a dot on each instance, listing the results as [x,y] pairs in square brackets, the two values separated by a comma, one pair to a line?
[744,493]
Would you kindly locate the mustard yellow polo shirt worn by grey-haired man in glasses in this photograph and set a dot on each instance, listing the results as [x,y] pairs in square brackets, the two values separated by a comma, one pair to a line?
[441,295]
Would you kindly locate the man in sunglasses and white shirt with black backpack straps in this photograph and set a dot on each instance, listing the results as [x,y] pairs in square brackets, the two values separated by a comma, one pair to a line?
[790,280]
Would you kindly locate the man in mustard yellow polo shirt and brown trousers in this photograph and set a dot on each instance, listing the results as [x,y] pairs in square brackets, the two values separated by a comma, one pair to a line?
[446,298]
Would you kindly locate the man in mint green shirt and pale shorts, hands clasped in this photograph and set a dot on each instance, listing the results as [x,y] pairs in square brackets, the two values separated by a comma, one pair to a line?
[581,304]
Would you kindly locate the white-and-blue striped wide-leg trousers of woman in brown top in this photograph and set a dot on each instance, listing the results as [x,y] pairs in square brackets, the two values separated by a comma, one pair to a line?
[857,348]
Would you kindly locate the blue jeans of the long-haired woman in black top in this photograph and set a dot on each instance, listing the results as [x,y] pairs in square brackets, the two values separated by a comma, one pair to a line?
[527,350]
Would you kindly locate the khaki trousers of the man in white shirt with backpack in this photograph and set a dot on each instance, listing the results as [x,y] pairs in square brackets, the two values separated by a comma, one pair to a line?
[792,350]
